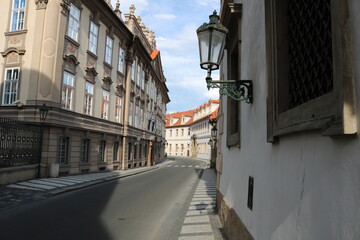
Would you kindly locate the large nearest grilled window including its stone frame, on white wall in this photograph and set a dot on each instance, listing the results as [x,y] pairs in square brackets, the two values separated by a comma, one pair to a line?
[307,65]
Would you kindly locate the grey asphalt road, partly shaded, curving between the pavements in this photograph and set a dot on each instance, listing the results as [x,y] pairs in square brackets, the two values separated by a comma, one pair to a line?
[147,206]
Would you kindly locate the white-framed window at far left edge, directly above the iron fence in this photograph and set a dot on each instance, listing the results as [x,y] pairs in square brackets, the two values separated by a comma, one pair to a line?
[10,89]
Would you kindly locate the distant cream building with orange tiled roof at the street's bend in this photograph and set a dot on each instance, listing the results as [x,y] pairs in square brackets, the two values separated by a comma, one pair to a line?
[188,133]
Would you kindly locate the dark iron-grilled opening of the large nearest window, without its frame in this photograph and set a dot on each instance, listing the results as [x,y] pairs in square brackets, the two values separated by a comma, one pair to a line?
[310,50]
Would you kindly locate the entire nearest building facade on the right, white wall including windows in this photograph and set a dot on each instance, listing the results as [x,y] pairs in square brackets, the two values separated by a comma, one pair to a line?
[288,164]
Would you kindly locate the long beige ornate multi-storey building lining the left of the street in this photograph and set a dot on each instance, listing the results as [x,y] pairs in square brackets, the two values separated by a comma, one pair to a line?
[99,73]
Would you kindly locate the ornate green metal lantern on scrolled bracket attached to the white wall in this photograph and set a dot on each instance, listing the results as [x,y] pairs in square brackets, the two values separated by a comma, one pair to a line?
[212,39]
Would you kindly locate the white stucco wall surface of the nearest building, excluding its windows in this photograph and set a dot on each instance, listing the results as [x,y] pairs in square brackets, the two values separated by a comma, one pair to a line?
[306,186]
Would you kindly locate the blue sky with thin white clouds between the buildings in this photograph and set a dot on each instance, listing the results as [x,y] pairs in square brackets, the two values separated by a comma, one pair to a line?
[174,23]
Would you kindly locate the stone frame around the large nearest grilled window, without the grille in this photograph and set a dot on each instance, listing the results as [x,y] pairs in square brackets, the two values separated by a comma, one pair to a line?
[332,113]
